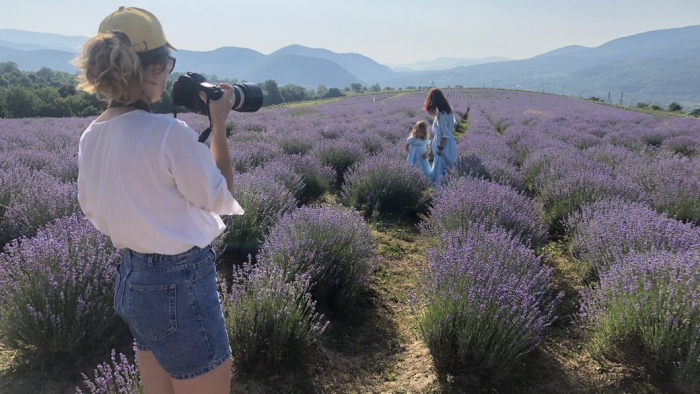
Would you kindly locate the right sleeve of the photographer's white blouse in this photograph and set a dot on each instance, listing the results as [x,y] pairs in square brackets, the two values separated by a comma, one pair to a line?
[196,176]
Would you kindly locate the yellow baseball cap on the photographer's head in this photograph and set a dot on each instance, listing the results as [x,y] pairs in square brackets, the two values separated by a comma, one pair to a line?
[142,28]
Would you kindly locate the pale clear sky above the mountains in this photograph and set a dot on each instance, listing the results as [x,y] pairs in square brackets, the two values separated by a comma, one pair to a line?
[392,32]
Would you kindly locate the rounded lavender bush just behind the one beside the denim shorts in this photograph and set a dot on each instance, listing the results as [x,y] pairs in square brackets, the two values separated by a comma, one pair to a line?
[332,245]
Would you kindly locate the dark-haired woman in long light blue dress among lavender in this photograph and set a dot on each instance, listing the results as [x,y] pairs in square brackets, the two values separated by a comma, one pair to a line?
[444,146]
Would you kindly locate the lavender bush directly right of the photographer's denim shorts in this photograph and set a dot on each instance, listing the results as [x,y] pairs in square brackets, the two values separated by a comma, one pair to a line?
[270,320]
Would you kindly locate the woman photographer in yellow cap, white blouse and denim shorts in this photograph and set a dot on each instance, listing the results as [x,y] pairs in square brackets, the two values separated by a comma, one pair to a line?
[146,182]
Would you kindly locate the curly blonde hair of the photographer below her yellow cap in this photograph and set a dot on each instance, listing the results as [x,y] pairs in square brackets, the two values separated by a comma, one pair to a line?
[113,71]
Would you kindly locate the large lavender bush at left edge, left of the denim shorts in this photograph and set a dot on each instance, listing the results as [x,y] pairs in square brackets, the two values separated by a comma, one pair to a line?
[56,294]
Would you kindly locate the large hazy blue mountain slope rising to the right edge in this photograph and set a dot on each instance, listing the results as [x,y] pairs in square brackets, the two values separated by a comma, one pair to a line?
[660,66]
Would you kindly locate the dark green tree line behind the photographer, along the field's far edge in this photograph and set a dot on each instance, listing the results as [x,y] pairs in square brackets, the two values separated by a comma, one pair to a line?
[50,93]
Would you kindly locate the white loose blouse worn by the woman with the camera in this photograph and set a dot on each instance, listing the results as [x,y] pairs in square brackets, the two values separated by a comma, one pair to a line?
[146,182]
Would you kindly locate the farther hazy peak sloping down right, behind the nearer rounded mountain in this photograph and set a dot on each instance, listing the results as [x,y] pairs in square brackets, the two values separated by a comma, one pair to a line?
[364,68]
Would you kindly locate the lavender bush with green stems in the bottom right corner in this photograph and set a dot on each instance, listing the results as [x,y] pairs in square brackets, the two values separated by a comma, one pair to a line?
[649,303]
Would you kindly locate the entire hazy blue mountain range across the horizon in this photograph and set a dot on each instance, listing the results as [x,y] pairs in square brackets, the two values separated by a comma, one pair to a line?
[655,67]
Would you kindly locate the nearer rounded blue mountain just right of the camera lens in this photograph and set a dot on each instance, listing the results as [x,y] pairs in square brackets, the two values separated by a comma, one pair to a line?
[301,70]
